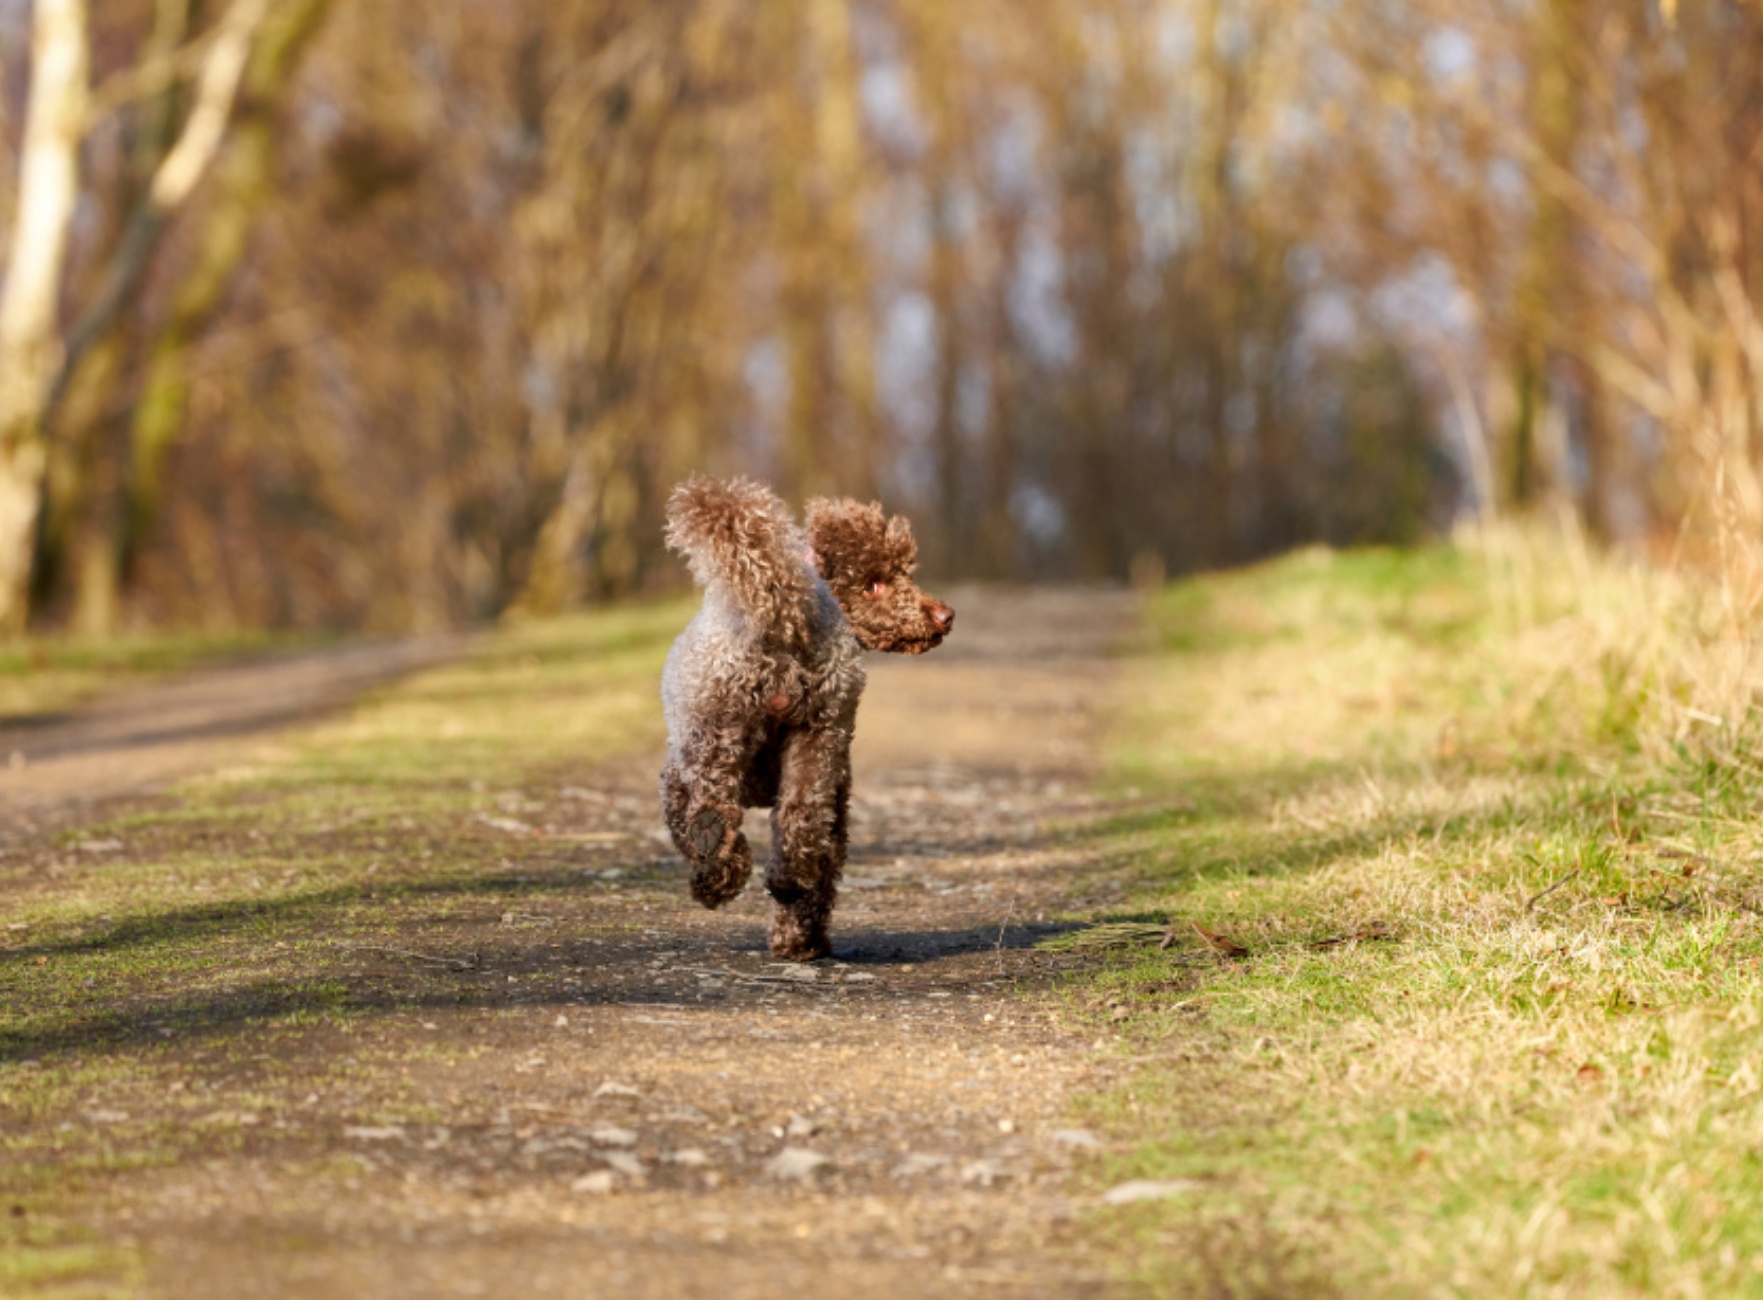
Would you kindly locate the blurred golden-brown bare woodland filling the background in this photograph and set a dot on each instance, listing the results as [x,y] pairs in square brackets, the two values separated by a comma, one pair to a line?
[1096,288]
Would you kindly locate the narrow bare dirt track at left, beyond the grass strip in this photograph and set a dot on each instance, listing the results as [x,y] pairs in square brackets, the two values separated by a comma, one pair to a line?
[61,768]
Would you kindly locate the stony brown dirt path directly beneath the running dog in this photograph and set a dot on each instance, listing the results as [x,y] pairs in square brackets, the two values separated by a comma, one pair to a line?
[623,1096]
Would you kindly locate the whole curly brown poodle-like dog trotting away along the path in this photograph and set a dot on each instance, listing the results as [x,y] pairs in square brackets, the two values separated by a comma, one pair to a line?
[761,691]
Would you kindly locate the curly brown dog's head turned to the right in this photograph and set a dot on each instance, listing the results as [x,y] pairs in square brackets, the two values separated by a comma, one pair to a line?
[868,560]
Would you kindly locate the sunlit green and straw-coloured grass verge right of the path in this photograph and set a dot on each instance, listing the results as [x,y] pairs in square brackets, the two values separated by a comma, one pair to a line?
[1475,839]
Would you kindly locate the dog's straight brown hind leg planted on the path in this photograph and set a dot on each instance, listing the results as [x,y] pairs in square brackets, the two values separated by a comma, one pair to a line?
[810,832]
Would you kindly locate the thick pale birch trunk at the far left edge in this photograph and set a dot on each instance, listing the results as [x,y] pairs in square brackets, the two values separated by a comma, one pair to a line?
[29,340]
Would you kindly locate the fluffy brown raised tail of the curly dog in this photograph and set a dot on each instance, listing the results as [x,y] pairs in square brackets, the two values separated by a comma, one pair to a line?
[738,537]
